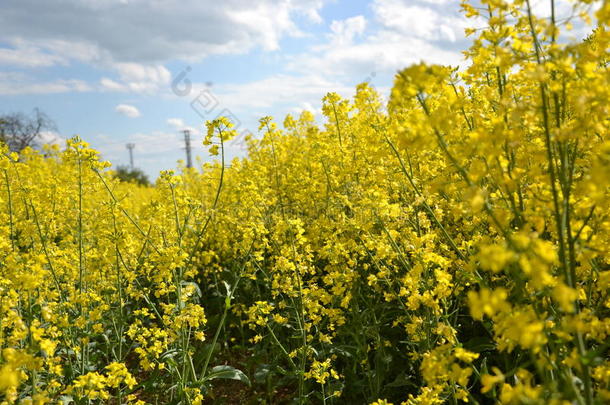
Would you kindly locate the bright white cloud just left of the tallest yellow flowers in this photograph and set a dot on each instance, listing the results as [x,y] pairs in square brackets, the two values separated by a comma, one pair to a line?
[399,33]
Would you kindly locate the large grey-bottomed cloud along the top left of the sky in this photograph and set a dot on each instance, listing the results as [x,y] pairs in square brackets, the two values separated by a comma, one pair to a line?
[152,32]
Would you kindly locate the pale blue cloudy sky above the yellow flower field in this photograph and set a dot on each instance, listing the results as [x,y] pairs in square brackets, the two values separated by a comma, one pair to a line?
[139,71]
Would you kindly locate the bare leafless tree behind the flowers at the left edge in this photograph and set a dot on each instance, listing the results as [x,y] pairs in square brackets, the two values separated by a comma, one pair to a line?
[19,130]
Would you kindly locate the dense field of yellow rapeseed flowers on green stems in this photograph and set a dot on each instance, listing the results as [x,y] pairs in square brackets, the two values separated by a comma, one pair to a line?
[450,247]
